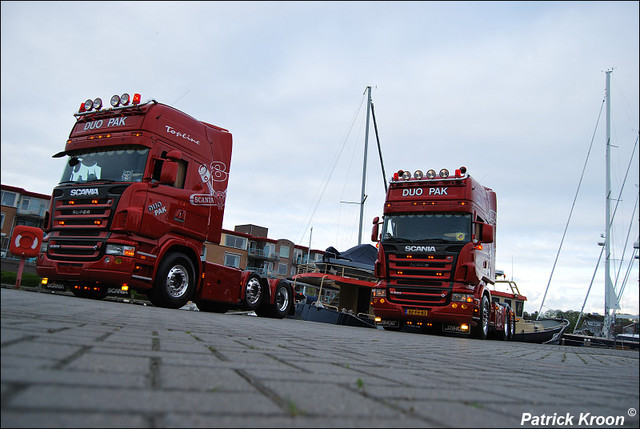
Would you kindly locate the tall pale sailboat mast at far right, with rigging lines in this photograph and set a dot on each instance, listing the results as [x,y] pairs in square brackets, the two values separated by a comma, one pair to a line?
[608,287]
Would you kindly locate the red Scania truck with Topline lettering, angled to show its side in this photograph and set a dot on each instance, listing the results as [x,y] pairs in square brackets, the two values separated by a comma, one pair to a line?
[141,195]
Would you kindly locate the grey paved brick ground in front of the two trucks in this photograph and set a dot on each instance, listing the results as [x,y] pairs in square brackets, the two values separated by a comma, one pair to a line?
[71,362]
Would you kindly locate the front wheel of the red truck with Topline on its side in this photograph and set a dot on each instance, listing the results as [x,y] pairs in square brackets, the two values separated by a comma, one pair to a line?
[175,282]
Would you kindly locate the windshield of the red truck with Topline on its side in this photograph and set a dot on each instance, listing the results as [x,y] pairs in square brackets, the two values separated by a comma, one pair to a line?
[114,165]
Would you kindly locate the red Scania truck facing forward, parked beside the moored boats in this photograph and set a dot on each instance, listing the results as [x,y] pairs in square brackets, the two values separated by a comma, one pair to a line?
[436,256]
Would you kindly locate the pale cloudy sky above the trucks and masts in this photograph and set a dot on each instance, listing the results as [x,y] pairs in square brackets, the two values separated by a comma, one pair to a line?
[511,90]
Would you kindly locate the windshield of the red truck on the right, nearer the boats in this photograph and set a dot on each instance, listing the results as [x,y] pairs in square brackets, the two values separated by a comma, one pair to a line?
[440,227]
